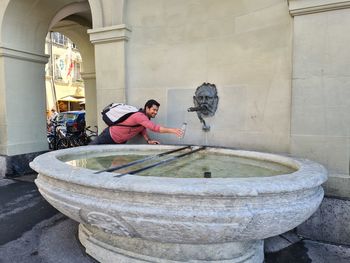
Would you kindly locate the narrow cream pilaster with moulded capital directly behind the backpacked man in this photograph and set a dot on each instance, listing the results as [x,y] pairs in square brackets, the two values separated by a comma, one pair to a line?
[110,63]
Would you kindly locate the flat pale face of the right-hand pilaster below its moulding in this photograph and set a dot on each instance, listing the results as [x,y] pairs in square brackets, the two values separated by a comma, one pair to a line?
[321,89]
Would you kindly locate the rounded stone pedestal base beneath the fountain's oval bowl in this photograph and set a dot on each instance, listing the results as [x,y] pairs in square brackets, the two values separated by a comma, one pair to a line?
[106,247]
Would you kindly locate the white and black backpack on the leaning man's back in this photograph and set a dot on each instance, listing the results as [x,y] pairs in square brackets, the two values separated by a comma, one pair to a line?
[115,113]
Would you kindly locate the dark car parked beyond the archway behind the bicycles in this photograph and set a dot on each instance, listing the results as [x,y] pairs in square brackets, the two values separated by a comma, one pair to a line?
[73,120]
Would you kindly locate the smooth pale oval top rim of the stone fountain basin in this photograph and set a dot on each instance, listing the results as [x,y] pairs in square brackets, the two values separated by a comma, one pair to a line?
[309,174]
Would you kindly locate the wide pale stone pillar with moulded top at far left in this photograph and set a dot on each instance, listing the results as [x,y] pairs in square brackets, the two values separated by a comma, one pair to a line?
[22,102]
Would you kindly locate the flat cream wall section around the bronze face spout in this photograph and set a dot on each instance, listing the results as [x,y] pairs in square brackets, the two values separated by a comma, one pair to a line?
[244,47]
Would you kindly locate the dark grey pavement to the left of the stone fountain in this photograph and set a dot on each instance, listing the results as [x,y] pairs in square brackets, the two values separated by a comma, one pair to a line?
[32,231]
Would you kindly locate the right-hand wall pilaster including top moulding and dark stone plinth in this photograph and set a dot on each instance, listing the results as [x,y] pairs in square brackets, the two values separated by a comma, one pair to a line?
[320,108]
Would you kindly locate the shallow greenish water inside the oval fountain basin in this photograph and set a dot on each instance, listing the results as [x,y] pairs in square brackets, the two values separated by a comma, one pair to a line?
[191,166]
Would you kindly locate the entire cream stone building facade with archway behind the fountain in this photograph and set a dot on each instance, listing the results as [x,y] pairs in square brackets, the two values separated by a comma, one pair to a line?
[280,68]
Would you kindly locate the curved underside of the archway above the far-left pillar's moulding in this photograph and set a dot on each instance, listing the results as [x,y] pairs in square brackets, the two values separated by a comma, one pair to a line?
[24,24]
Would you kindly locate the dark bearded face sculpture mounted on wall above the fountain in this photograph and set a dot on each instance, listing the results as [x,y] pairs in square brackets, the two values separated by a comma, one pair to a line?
[207,98]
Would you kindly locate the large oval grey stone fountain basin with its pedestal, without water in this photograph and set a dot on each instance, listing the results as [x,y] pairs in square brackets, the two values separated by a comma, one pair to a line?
[155,219]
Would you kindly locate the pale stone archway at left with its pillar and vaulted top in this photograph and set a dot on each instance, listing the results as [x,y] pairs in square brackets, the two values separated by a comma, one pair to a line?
[24,25]
